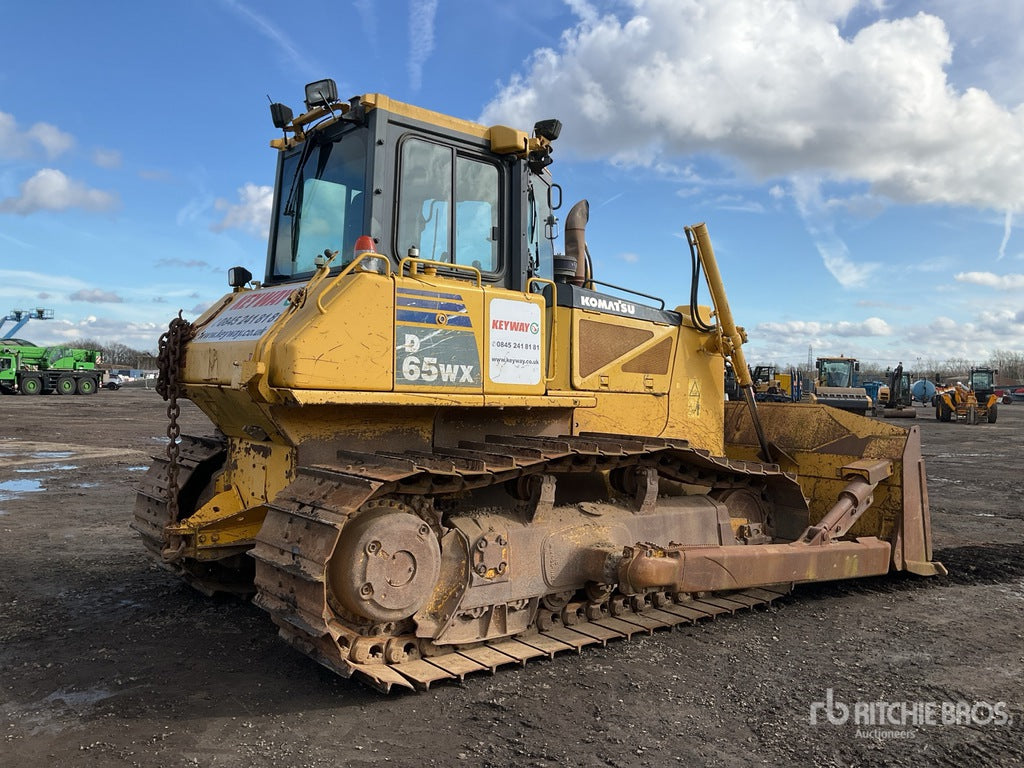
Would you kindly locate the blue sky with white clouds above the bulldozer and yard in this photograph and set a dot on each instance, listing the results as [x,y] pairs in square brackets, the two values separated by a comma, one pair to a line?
[860,164]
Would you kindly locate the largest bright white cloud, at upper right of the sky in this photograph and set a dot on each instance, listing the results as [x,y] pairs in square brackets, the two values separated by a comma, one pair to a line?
[777,87]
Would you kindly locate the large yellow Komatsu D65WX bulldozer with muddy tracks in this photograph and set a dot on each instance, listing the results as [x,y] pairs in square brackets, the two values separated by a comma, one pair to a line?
[443,447]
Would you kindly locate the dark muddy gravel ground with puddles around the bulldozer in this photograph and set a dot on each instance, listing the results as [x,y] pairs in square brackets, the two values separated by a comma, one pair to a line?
[107,660]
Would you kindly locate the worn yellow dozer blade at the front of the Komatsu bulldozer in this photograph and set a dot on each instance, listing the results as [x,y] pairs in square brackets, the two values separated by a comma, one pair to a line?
[821,442]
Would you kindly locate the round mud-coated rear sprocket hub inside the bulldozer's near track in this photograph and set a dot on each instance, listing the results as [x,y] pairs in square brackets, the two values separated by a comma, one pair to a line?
[387,565]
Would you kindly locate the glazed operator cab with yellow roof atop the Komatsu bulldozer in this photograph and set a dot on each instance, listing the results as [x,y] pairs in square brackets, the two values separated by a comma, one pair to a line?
[453,200]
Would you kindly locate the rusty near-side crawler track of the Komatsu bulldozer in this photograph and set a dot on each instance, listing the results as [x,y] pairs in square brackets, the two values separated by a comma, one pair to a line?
[306,522]
